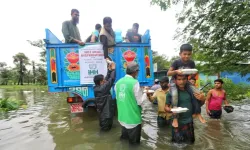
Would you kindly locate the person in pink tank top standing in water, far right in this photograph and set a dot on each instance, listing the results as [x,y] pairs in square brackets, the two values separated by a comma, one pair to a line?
[215,98]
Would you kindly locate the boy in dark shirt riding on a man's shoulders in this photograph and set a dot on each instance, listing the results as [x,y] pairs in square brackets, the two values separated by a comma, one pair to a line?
[184,63]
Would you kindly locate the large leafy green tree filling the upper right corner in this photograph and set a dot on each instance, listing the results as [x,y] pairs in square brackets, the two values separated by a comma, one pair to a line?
[219,31]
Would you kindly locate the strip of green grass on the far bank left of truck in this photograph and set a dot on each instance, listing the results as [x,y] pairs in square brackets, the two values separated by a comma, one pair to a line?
[17,87]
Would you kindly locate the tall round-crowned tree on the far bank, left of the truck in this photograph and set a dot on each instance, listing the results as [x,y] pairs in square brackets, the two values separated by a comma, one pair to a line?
[21,61]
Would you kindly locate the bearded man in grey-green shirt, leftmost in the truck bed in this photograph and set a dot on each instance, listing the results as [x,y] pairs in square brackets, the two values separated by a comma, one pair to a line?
[70,30]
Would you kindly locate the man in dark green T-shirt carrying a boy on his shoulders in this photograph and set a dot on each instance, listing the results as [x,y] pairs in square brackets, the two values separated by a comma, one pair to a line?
[185,130]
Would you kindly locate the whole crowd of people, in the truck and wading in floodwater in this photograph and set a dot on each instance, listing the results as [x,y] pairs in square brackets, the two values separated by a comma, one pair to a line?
[179,91]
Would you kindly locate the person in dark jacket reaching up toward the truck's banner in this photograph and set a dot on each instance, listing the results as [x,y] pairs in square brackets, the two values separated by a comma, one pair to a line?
[103,98]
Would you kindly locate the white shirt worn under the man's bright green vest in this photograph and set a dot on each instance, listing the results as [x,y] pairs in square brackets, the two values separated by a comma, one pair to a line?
[139,99]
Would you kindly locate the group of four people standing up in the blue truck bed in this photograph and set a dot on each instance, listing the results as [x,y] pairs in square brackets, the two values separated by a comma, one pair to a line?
[104,34]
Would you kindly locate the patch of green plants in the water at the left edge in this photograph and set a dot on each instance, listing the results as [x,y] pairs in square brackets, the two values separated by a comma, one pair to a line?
[10,104]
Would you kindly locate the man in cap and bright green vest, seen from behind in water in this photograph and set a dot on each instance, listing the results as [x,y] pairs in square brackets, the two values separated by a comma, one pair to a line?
[129,101]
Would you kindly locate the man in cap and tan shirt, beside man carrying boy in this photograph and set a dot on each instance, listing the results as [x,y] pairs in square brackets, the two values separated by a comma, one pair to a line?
[163,118]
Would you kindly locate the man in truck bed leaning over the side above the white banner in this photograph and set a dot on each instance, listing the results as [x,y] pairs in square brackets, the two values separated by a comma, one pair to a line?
[107,37]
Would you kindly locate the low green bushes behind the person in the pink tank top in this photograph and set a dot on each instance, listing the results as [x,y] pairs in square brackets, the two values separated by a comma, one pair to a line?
[234,91]
